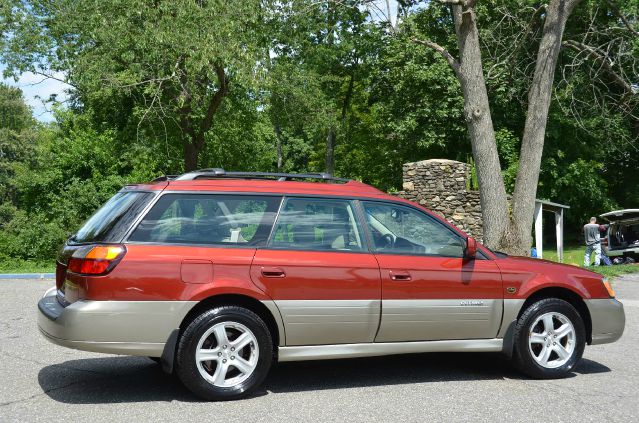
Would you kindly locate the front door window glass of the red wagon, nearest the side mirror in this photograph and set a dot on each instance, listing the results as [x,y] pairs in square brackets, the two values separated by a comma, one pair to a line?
[402,230]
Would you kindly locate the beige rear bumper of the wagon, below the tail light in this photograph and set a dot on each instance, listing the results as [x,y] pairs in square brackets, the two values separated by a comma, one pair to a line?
[115,327]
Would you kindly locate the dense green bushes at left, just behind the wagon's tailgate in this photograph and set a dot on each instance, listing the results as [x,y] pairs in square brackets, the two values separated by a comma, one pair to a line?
[73,171]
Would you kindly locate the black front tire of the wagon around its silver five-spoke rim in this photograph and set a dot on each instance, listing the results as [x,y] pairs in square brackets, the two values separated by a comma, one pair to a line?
[523,357]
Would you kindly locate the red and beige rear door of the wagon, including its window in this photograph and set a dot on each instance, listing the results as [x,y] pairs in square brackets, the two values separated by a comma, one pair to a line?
[317,270]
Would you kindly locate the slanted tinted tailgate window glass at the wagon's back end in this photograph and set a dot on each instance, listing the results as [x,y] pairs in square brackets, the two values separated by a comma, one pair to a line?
[111,221]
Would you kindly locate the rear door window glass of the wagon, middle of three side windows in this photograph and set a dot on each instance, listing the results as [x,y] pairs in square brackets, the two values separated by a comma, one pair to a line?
[316,224]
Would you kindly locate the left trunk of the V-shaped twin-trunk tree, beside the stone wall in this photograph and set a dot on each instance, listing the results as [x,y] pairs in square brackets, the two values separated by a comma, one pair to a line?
[470,73]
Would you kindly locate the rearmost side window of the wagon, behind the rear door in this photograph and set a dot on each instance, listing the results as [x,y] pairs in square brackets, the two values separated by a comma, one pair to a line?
[208,219]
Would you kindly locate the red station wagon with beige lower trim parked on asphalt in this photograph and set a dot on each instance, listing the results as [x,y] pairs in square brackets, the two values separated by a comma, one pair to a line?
[218,274]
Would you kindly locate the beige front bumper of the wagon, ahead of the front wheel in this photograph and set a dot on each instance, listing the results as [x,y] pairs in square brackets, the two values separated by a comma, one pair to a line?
[608,320]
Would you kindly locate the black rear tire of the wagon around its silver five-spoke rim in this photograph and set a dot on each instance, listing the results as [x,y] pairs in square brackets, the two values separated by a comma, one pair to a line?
[186,365]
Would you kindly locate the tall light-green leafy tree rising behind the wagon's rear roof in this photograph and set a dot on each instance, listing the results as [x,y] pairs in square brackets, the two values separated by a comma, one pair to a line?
[175,60]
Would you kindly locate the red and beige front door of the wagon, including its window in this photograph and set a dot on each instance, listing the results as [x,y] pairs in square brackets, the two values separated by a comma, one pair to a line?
[429,291]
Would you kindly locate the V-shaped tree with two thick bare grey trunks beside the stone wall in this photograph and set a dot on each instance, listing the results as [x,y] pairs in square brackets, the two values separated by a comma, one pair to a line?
[502,229]
